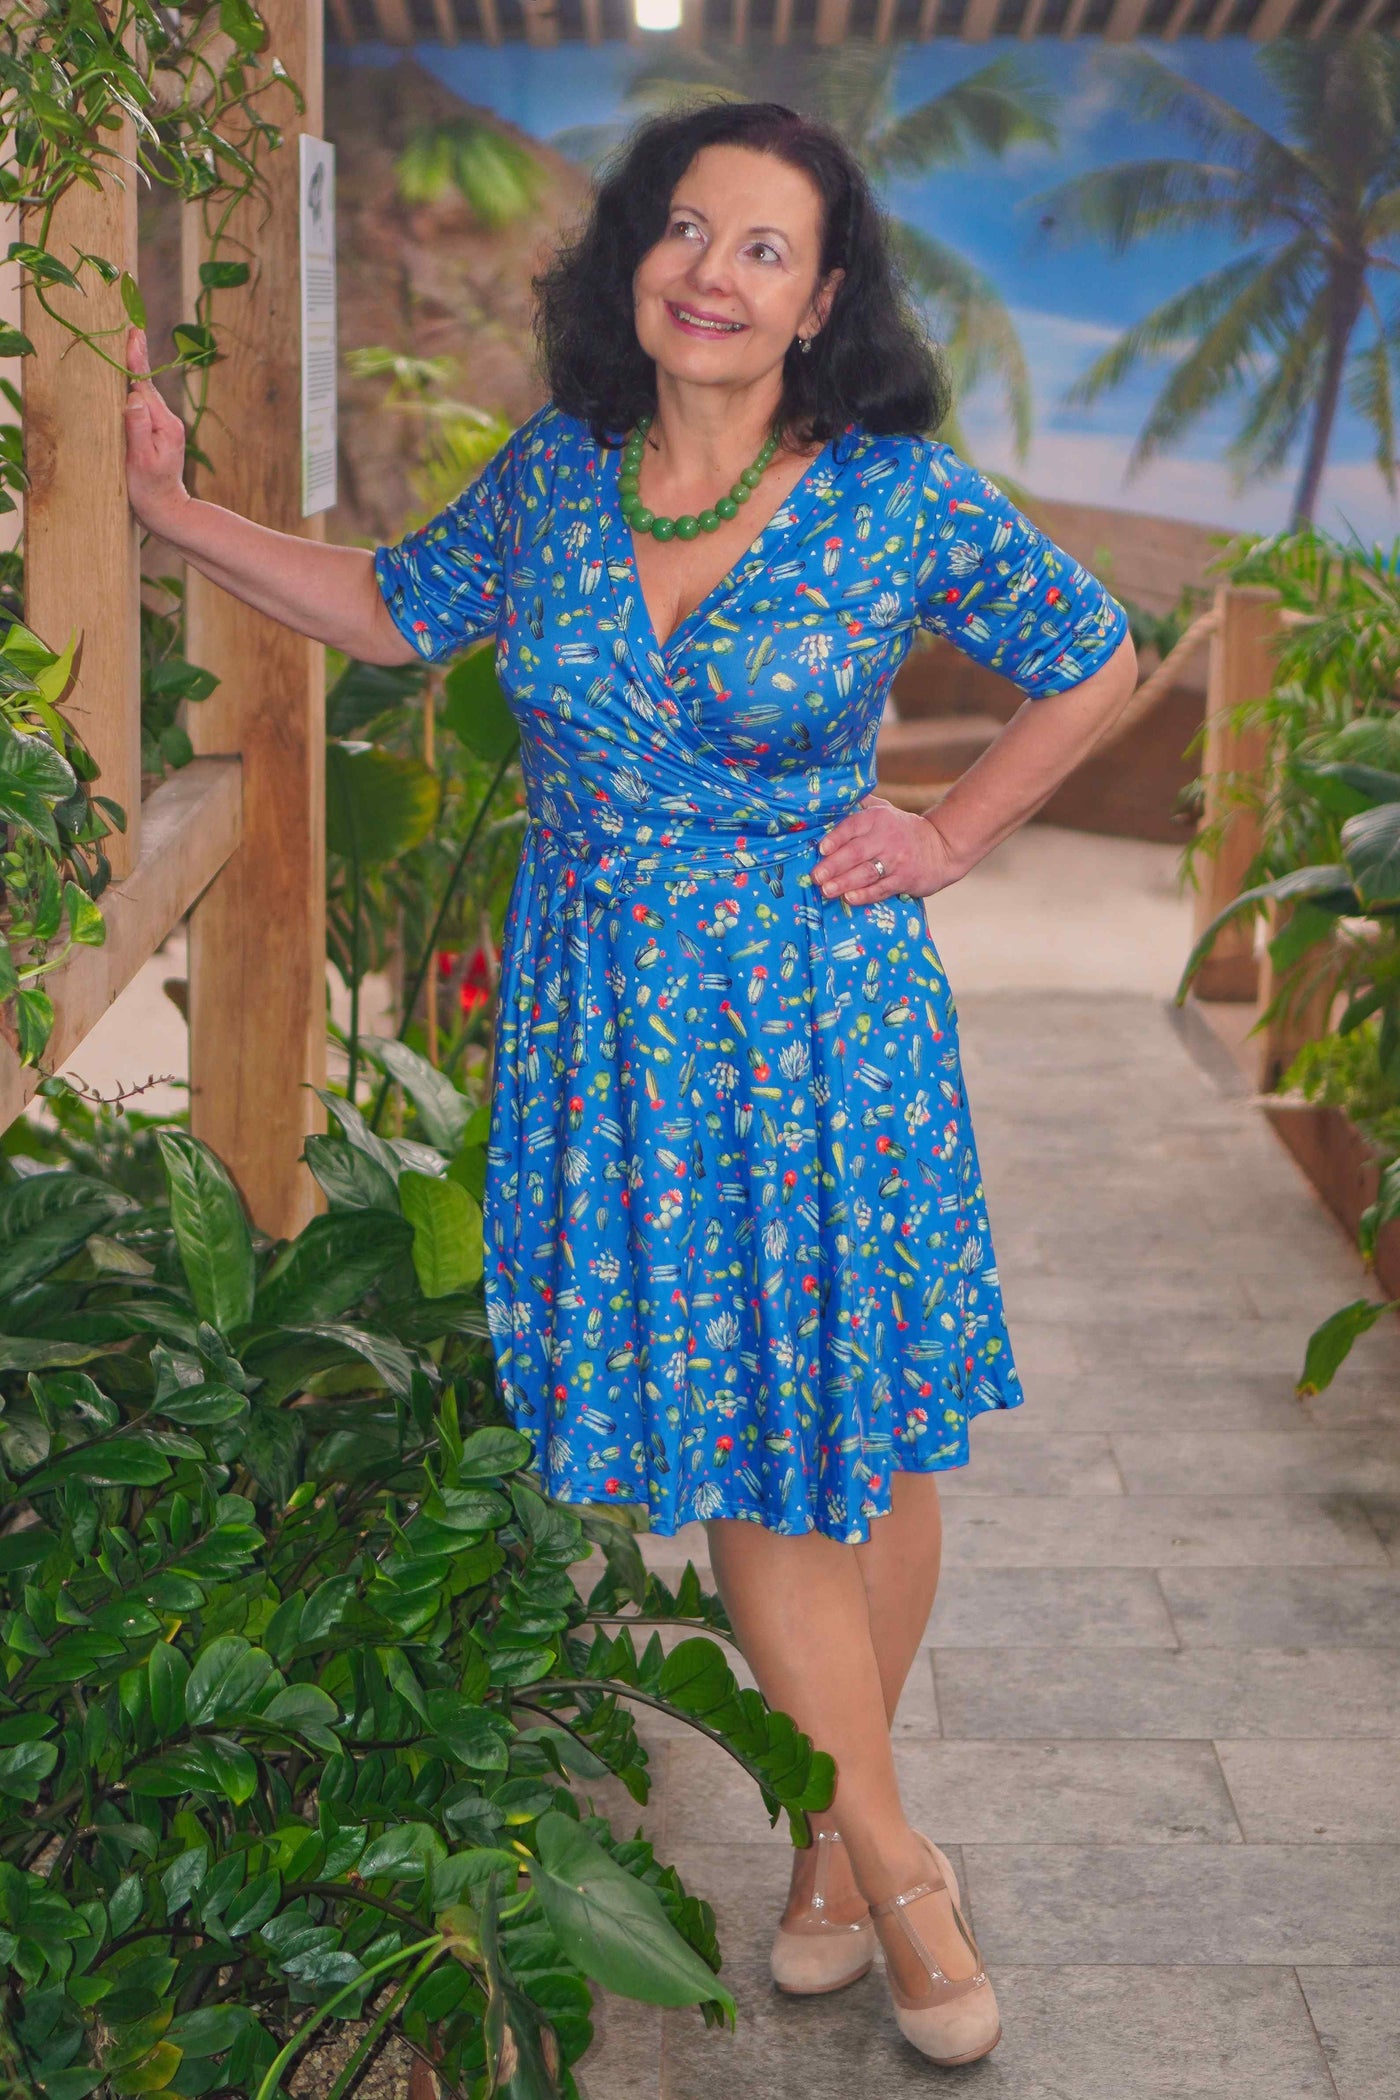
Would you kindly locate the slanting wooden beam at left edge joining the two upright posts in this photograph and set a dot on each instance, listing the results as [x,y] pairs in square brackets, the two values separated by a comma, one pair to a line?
[192,826]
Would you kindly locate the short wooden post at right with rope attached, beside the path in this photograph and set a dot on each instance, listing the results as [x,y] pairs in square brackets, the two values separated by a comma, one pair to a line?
[1242,669]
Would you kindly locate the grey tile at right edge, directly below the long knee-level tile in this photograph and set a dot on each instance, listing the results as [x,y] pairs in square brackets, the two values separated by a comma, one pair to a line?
[1281,1608]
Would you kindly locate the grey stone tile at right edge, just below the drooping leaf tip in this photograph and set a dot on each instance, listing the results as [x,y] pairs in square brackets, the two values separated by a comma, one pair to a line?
[1252,1463]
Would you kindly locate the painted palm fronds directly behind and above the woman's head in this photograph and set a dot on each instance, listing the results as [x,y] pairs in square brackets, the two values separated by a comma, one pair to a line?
[851,87]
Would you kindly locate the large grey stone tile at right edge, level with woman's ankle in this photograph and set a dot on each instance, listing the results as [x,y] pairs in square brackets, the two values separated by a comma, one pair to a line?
[1260,1906]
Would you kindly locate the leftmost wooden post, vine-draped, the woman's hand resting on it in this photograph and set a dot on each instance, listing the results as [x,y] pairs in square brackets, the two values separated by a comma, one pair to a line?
[81,534]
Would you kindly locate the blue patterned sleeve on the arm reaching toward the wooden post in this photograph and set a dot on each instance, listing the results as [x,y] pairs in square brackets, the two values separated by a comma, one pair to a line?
[444,585]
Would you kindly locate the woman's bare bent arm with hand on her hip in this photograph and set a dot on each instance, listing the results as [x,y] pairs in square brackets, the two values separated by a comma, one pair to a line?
[1015,776]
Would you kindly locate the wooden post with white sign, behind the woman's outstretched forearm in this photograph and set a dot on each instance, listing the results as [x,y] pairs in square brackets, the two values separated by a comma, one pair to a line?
[257,961]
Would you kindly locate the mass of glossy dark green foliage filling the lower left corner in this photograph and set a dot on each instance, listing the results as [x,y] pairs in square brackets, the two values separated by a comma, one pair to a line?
[301,1702]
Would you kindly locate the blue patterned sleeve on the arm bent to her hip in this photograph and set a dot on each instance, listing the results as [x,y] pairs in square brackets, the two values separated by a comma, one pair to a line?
[1002,591]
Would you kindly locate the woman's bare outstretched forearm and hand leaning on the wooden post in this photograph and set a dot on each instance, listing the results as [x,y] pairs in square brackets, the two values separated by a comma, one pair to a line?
[328,593]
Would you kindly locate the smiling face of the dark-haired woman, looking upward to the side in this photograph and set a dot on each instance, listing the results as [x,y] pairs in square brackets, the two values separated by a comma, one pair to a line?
[736,276]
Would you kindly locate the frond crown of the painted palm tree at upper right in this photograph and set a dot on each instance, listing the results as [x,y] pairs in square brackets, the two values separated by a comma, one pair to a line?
[1309,310]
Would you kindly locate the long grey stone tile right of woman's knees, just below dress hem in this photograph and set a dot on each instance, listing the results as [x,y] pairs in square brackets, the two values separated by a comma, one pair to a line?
[1160,1532]
